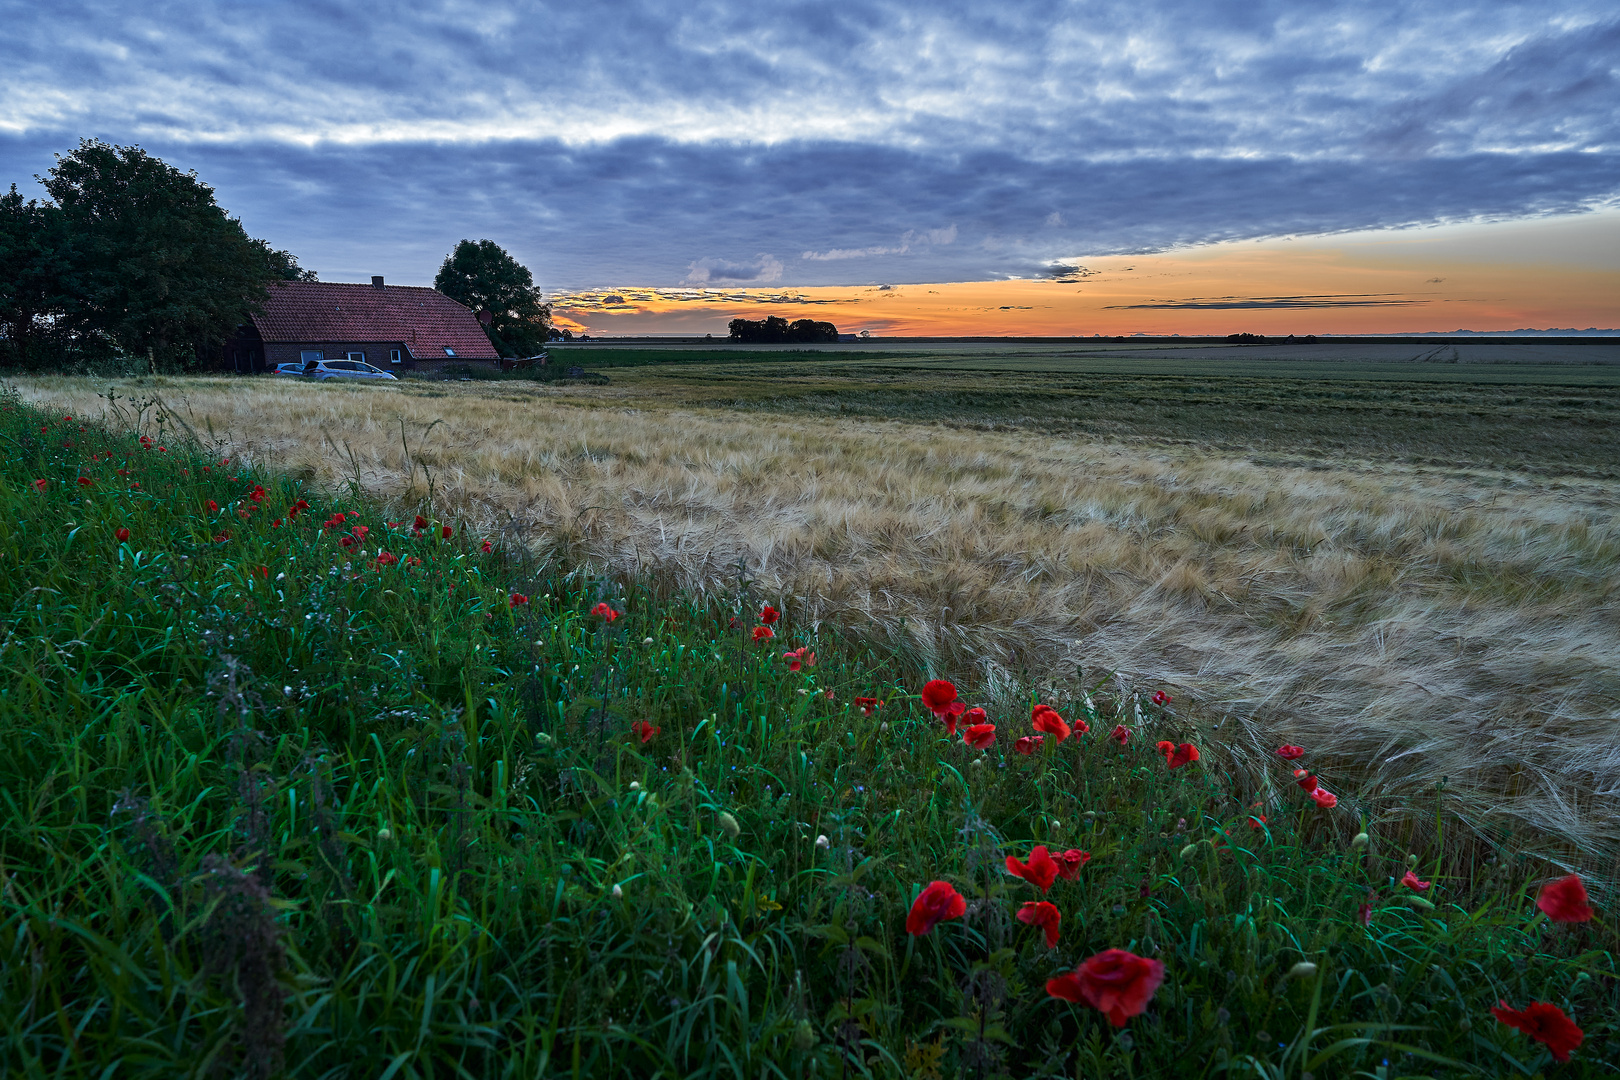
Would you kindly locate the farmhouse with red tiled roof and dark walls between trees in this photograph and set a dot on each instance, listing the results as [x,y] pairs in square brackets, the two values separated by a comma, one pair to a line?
[396,328]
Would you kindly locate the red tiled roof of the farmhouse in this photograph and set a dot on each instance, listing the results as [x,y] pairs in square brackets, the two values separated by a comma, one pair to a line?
[424,320]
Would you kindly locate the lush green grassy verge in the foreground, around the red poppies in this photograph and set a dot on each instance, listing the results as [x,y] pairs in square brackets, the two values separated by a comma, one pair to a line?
[265,801]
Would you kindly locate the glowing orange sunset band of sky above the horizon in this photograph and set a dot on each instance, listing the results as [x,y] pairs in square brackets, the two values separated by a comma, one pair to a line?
[1537,274]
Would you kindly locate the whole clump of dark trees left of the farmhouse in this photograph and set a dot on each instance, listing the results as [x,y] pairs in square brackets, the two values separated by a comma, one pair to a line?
[129,257]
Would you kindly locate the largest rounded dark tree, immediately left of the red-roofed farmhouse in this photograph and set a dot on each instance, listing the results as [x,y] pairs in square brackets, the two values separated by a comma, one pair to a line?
[160,265]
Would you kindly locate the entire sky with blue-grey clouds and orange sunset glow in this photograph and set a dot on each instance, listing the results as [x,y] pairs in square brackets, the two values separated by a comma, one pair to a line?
[1012,168]
